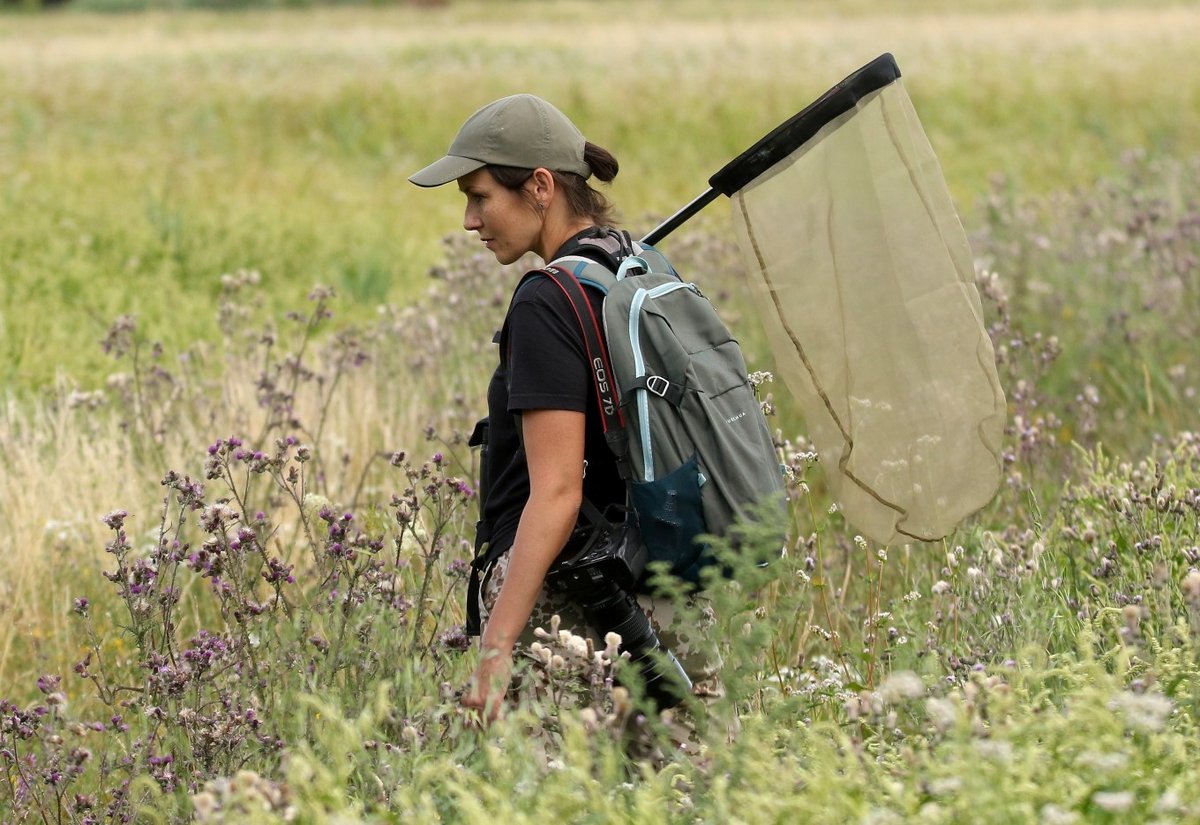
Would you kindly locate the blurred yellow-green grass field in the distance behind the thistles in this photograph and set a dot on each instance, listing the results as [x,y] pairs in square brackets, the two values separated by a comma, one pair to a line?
[147,155]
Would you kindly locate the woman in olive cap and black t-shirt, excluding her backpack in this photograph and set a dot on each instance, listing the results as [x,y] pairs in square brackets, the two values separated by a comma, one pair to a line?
[524,168]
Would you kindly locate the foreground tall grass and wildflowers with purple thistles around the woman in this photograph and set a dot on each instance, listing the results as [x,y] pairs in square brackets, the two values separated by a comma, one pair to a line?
[272,629]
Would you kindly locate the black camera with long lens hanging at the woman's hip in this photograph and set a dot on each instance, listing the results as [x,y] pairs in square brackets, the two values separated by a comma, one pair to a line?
[602,580]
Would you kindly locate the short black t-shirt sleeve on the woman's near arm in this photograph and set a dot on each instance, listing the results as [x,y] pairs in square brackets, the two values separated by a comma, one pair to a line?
[548,368]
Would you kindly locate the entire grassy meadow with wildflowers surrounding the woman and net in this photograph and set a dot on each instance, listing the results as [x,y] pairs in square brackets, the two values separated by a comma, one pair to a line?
[241,352]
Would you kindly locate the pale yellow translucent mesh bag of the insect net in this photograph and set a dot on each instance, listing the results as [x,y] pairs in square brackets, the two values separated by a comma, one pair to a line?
[865,280]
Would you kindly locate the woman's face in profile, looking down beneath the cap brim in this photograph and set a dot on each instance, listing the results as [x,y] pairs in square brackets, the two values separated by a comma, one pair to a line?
[506,221]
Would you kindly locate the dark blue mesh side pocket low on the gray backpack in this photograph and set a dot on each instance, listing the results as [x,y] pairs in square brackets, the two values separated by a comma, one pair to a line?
[671,516]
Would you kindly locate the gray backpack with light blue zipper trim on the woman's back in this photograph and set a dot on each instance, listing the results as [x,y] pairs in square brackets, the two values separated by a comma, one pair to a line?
[681,415]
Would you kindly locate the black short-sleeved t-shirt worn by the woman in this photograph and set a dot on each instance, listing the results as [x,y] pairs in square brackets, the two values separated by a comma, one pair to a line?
[548,369]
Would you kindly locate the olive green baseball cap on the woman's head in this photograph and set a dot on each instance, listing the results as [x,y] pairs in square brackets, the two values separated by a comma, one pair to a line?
[520,131]
